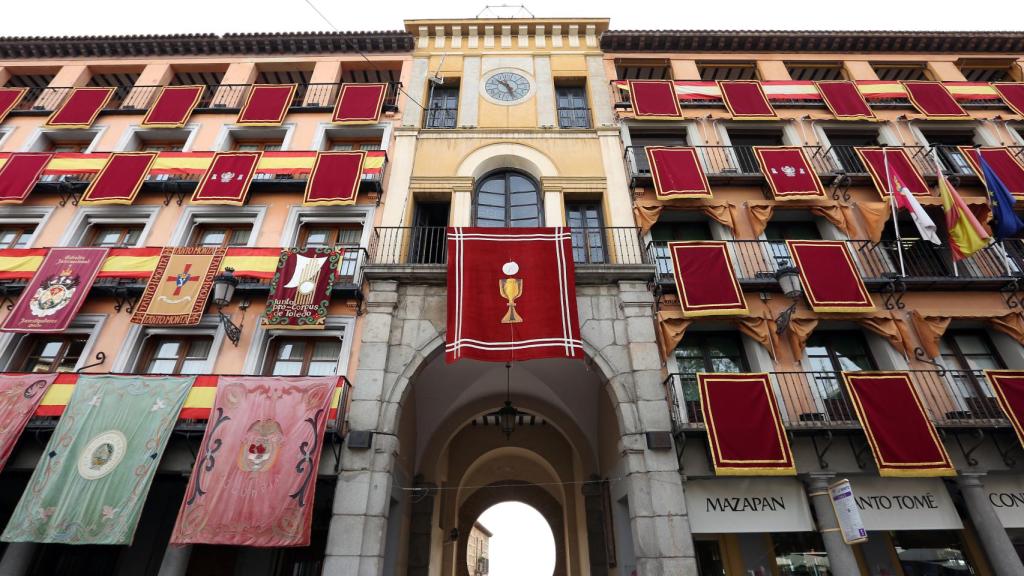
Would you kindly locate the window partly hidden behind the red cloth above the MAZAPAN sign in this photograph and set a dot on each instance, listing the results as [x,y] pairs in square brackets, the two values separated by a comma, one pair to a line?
[706,352]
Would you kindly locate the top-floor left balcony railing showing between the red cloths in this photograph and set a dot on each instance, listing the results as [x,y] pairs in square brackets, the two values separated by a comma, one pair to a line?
[216,98]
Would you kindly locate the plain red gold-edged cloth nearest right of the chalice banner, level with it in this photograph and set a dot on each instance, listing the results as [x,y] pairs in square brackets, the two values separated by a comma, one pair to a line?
[705,280]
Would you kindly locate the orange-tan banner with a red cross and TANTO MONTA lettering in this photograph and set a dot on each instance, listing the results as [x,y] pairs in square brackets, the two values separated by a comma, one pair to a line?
[180,287]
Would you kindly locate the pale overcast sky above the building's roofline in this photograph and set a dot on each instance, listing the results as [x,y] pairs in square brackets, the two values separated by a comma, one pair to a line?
[75,18]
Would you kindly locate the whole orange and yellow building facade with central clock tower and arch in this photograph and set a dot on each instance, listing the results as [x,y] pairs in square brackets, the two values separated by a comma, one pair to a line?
[511,124]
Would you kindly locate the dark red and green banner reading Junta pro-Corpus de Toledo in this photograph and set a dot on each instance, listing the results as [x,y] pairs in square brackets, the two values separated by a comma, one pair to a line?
[301,292]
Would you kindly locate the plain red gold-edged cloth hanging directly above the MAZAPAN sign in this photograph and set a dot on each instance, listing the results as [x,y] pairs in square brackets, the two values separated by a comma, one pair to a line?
[745,430]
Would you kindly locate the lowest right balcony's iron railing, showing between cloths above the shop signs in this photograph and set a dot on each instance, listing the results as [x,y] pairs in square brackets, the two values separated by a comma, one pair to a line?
[816,400]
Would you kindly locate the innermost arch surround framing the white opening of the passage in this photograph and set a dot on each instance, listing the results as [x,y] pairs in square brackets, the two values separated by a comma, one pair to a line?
[529,495]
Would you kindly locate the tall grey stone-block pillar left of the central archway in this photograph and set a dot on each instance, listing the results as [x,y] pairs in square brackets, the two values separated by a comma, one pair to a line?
[357,537]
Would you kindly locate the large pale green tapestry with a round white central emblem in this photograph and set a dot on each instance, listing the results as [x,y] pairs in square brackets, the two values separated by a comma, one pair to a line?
[92,483]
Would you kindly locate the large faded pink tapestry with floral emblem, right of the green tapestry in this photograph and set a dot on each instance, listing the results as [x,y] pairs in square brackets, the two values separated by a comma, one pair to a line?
[253,483]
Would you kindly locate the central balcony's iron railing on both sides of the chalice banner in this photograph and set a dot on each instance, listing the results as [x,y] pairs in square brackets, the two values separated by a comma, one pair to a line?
[429,245]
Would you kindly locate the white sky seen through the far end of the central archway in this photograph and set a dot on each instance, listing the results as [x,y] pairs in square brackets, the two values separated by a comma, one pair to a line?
[523,544]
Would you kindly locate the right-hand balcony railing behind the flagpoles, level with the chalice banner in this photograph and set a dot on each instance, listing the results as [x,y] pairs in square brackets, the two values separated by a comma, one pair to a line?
[927,267]
